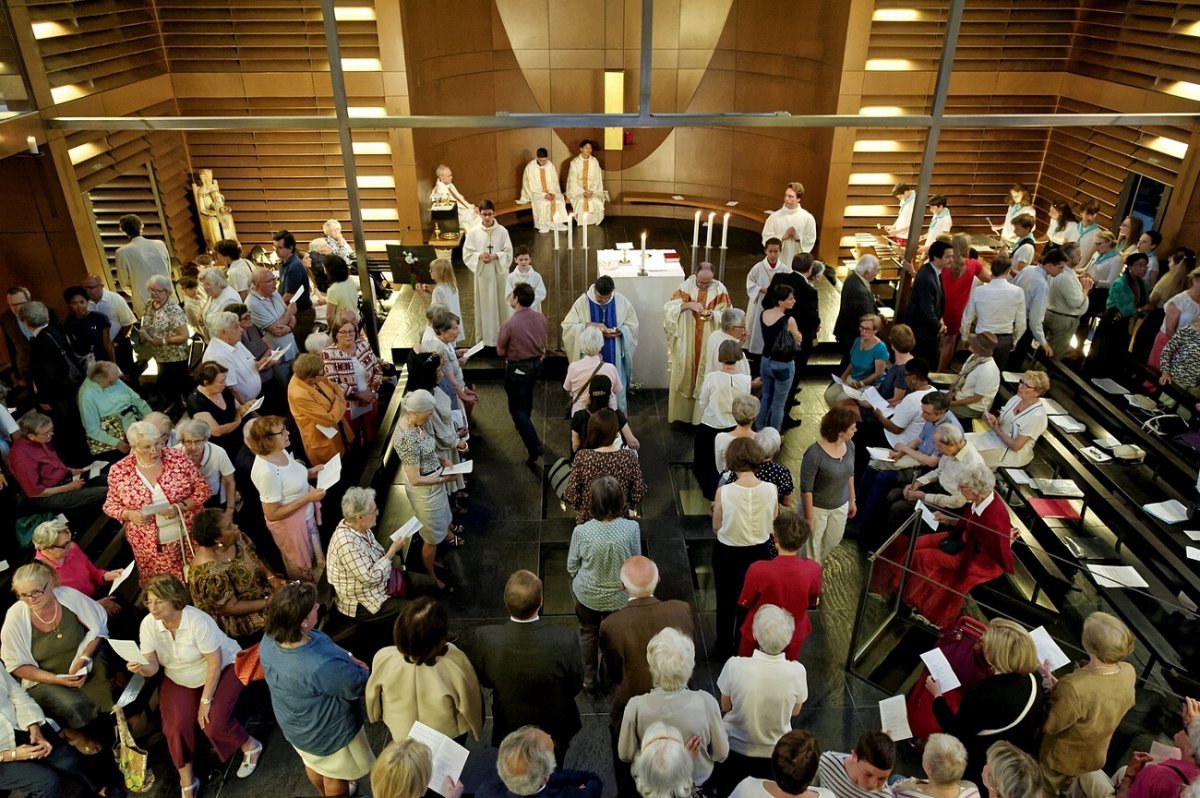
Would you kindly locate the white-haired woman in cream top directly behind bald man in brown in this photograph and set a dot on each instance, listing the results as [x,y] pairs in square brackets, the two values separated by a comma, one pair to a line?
[695,715]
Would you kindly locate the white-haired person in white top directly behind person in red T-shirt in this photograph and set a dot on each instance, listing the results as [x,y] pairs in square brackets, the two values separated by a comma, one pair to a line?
[760,695]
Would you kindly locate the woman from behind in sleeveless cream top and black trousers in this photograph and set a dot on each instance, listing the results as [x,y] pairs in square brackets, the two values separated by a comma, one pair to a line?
[742,519]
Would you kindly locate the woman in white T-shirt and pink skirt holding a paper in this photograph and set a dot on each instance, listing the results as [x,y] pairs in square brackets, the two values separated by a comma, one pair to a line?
[290,503]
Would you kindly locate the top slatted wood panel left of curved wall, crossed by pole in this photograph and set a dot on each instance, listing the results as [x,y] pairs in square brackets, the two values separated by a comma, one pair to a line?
[256,37]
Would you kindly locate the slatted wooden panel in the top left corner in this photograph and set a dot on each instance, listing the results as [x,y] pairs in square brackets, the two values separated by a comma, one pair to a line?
[105,44]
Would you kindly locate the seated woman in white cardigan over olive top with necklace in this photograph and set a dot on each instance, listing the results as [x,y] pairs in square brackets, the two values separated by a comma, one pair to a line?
[51,641]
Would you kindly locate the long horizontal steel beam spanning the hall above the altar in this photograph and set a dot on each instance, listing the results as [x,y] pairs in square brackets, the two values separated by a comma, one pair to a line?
[781,119]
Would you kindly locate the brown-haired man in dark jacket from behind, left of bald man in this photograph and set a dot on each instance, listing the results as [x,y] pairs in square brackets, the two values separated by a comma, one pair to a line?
[535,670]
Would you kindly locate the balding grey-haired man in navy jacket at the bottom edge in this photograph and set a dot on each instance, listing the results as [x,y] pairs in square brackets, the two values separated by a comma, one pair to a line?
[526,766]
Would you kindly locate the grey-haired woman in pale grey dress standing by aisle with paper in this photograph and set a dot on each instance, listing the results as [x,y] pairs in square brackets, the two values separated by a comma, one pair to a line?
[424,482]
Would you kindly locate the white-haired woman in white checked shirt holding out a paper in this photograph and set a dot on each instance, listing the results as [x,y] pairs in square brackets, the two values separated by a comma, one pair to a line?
[367,580]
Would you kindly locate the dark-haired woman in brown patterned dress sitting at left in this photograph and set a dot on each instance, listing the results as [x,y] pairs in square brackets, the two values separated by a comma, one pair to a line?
[227,580]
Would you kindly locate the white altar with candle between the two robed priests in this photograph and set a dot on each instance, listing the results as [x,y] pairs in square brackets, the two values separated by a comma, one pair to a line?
[647,295]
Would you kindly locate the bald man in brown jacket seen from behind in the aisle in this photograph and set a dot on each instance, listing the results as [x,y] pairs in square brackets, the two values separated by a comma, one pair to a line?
[623,640]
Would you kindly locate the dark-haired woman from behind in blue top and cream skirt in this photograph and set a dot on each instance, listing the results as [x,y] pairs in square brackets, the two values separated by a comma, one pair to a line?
[310,677]
